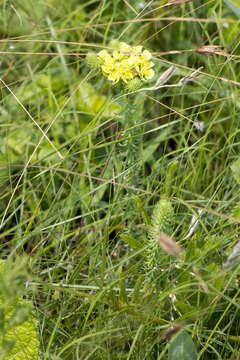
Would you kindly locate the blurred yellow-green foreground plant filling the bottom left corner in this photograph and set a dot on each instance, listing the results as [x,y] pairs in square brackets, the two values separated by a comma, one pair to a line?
[19,338]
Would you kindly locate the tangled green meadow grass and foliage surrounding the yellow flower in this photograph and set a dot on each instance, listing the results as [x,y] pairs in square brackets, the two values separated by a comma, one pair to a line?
[83,218]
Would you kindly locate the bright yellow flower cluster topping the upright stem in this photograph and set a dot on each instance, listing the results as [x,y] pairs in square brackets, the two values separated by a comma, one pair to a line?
[126,63]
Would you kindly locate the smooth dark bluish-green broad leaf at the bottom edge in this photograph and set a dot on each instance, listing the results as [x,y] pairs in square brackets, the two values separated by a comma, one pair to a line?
[182,347]
